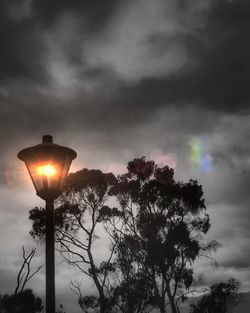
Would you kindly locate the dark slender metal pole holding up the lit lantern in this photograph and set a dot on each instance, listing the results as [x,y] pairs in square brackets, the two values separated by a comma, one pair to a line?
[50,258]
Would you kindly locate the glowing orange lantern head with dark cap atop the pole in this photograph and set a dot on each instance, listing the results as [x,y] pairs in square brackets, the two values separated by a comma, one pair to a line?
[48,165]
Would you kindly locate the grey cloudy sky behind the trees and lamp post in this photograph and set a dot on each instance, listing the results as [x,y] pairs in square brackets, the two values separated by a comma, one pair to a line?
[168,79]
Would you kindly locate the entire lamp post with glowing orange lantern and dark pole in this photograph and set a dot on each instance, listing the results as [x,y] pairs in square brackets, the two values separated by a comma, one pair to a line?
[48,165]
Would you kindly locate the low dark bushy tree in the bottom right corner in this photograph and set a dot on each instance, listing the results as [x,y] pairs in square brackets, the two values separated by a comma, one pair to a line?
[222,295]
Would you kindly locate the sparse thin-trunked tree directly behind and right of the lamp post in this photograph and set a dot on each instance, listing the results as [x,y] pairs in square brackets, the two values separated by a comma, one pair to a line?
[76,222]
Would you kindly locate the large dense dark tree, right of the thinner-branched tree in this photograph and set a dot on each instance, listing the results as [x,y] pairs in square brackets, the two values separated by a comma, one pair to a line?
[163,233]
